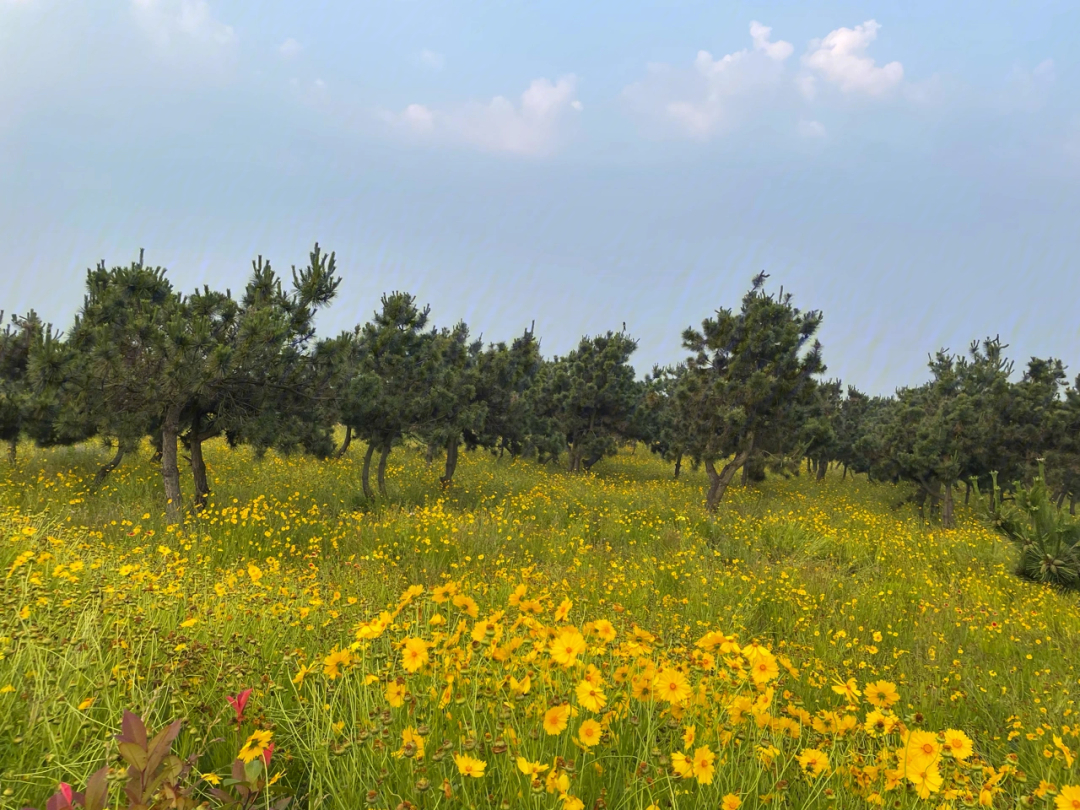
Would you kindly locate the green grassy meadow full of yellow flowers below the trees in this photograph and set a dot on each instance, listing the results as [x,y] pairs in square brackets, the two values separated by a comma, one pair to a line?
[530,639]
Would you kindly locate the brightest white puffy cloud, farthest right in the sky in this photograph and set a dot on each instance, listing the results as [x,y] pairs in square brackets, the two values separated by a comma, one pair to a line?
[841,59]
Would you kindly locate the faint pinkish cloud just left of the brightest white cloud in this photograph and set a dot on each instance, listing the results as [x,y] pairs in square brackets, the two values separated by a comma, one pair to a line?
[712,97]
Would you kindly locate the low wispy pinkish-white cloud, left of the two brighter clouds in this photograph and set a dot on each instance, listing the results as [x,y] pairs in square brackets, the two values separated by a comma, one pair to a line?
[533,127]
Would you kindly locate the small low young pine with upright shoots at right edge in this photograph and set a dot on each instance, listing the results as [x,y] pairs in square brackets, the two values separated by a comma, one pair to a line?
[1048,536]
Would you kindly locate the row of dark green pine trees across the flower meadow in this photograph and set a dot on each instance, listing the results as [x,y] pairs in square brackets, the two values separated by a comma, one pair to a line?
[143,360]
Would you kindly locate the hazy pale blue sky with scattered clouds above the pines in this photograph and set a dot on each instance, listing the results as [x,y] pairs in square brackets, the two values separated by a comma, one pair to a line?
[911,169]
